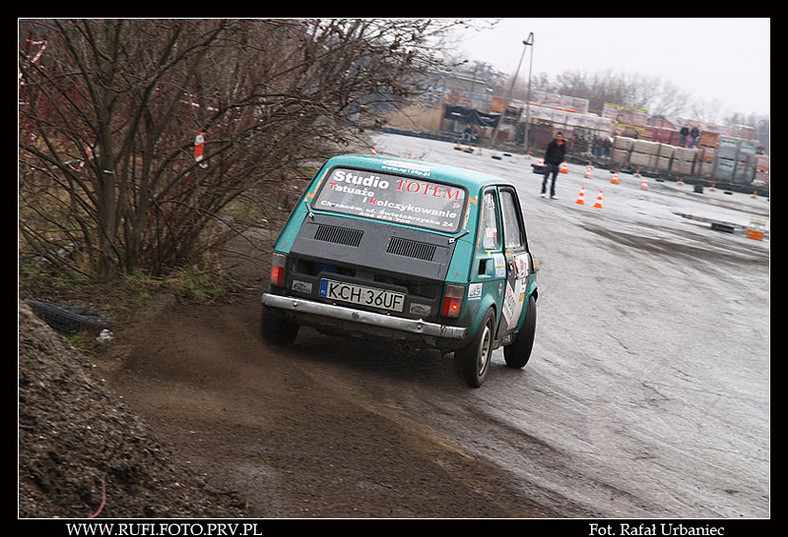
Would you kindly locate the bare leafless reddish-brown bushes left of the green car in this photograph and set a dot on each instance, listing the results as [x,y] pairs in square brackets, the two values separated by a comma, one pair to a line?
[110,111]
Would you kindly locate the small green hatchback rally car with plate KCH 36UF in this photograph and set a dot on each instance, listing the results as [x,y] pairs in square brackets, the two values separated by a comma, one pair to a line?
[427,254]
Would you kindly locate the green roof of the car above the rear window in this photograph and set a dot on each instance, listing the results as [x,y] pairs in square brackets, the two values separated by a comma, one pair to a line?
[470,179]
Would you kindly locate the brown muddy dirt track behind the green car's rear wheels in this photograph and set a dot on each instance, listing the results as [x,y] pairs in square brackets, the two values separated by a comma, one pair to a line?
[287,432]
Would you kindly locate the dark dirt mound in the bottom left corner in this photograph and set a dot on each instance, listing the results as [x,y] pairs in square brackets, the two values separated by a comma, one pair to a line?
[79,444]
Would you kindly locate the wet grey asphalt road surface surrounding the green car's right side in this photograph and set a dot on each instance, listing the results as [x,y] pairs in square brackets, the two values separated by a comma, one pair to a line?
[647,394]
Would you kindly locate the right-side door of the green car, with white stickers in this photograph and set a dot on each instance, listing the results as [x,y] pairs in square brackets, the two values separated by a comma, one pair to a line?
[517,261]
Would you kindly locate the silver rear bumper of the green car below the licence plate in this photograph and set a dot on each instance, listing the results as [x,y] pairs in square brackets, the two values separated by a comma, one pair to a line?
[362,318]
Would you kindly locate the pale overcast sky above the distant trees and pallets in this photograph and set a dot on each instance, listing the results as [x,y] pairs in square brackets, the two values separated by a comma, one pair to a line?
[715,60]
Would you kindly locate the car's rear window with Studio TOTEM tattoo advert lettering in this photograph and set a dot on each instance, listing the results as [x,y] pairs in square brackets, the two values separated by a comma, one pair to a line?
[392,198]
